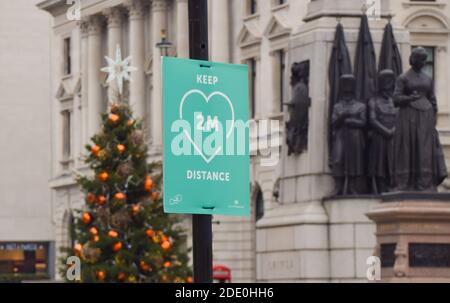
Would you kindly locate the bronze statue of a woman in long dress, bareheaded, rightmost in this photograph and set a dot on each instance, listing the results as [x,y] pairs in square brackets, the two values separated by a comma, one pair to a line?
[418,158]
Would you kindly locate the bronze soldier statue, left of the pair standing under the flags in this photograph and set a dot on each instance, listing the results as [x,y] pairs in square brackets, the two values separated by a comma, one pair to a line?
[348,153]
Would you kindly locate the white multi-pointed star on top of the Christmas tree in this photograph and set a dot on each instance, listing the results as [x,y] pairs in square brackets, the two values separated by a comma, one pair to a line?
[118,69]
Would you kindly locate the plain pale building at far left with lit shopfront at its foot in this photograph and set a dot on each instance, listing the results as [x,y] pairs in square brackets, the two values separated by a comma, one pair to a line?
[26,226]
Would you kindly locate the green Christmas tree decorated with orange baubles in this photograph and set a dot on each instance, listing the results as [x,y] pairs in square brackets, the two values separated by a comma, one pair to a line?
[122,234]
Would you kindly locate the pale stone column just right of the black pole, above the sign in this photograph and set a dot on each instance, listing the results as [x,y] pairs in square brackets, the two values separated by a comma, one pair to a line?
[220,50]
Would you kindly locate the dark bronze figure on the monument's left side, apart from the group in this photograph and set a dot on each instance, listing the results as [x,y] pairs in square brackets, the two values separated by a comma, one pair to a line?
[297,126]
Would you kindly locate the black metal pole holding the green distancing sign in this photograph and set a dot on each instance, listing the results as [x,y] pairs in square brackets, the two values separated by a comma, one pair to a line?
[201,224]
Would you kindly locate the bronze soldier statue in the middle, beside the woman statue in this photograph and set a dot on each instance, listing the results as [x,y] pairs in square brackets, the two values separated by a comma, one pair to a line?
[382,117]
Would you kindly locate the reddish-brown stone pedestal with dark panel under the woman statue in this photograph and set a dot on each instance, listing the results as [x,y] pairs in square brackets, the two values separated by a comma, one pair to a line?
[413,237]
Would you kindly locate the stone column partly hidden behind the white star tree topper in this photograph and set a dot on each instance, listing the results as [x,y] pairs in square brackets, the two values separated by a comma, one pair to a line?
[114,19]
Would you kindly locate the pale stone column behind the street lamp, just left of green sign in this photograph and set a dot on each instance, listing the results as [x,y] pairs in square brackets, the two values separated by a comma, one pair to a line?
[158,24]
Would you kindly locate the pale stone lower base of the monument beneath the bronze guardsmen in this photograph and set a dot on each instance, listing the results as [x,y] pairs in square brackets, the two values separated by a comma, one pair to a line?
[326,241]
